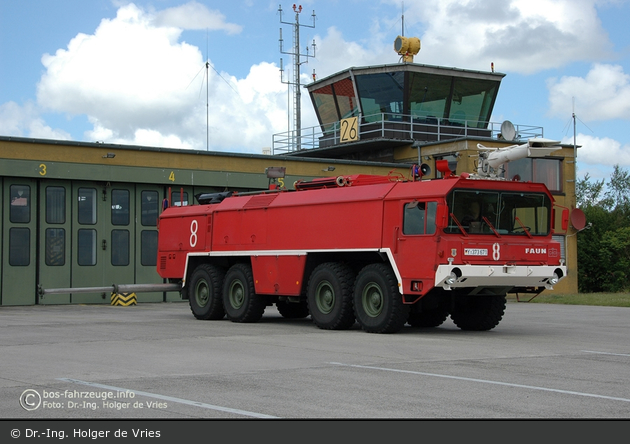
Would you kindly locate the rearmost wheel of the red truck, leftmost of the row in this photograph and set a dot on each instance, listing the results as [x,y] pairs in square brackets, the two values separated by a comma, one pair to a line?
[204,292]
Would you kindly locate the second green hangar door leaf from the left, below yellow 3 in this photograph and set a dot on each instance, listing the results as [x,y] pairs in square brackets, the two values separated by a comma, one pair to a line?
[55,240]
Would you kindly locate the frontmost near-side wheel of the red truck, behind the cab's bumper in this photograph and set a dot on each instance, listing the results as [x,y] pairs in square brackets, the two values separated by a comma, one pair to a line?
[378,305]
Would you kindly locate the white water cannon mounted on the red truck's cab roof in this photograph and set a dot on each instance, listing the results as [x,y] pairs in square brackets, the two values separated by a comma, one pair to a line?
[491,160]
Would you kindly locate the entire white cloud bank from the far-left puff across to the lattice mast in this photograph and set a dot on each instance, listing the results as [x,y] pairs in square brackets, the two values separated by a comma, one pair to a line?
[139,85]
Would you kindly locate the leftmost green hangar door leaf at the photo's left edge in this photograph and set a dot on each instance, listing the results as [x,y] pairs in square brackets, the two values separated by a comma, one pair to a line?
[19,231]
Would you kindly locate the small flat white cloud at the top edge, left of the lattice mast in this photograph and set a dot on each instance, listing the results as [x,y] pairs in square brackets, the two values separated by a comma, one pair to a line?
[194,15]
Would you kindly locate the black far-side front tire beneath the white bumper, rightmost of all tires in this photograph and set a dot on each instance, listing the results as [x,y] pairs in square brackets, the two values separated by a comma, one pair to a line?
[478,312]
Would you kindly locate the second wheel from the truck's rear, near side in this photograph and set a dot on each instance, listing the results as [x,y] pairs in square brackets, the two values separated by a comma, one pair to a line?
[239,297]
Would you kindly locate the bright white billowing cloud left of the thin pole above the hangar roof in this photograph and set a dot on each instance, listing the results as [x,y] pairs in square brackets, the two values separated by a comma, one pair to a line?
[126,68]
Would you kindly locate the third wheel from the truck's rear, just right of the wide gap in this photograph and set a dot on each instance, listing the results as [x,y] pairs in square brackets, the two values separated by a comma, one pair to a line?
[329,296]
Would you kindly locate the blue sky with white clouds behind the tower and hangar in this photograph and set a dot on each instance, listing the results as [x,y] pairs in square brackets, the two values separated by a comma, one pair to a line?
[205,74]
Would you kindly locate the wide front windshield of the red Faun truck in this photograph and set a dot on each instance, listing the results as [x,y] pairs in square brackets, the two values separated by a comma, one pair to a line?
[503,212]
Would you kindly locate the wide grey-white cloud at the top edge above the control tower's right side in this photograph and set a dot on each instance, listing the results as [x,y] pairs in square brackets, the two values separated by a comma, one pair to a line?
[524,36]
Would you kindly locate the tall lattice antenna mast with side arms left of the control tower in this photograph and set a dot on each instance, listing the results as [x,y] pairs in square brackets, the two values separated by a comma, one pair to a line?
[296,55]
